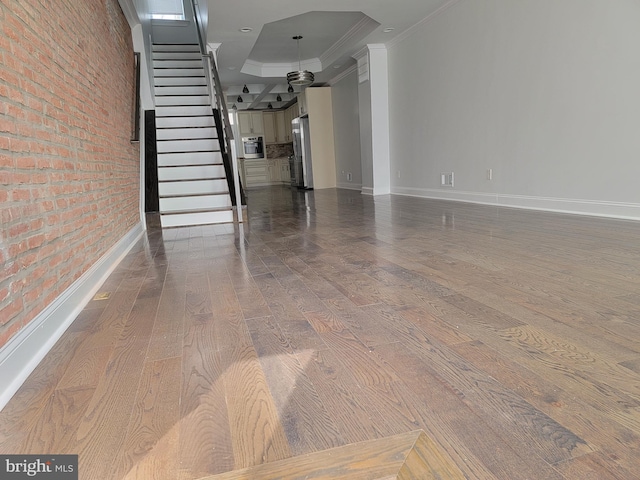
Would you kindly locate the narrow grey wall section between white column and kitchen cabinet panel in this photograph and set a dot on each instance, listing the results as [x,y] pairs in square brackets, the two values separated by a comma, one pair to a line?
[346,126]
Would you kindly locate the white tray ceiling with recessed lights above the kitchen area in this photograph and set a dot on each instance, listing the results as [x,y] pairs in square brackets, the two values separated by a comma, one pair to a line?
[332,31]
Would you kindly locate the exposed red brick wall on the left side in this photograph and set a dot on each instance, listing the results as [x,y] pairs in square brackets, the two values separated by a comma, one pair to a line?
[69,176]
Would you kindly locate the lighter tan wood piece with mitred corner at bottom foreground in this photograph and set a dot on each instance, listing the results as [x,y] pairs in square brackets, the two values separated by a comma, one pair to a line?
[411,455]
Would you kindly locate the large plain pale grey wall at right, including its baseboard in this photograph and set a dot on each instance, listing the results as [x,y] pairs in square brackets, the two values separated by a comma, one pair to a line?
[544,92]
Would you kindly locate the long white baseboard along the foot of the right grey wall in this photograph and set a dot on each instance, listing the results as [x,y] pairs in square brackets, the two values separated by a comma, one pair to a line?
[626,211]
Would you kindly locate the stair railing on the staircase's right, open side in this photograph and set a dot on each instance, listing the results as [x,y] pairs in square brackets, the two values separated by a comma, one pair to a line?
[216,94]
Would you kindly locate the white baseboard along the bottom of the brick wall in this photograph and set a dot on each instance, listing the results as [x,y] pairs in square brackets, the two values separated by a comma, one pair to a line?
[24,351]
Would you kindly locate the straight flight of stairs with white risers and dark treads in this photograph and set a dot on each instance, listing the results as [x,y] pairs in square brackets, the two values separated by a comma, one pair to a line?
[192,184]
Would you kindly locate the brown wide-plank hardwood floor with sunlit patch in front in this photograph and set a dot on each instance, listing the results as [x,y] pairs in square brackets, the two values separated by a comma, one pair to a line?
[511,337]
